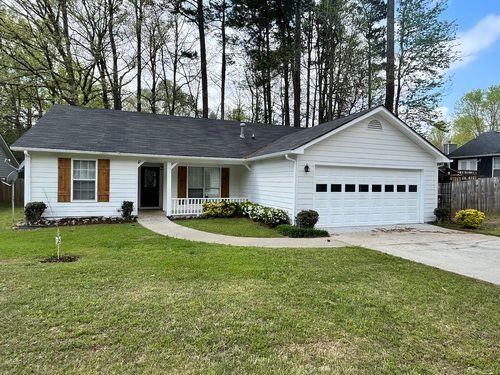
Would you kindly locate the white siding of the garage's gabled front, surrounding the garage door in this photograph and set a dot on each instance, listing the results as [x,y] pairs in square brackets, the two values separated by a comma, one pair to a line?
[359,146]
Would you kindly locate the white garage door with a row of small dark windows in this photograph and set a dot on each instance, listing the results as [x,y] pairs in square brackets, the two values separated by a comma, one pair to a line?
[366,196]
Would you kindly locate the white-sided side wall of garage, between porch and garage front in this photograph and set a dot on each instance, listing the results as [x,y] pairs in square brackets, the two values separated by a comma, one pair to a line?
[270,183]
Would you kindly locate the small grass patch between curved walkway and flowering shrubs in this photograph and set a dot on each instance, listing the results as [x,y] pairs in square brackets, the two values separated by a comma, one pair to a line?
[237,226]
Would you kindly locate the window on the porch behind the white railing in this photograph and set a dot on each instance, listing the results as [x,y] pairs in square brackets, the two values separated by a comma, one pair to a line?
[203,182]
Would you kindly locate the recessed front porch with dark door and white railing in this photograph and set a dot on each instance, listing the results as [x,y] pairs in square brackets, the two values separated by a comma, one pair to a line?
[181,189]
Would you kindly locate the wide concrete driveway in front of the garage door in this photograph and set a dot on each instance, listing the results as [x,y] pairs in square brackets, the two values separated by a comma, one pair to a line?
[468,254]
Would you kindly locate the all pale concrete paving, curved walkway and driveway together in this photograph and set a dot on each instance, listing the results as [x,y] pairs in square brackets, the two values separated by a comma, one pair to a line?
[469,254]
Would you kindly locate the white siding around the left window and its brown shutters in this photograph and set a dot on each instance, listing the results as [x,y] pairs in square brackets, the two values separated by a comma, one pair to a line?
[123,187]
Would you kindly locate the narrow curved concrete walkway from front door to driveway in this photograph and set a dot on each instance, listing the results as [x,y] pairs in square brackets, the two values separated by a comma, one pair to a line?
[156,221]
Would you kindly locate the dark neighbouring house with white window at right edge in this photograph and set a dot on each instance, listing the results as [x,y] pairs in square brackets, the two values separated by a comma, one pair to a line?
[481,156]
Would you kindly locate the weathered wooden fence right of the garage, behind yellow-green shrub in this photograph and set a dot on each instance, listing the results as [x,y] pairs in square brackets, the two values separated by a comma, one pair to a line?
[482,194]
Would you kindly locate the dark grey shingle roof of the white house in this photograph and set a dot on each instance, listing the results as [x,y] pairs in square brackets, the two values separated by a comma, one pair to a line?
[101,130]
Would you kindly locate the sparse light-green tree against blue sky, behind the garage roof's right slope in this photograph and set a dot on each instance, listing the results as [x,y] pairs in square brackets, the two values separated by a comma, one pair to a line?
[425,52]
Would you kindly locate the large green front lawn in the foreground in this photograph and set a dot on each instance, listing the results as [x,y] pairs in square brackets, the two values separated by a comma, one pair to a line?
[136,302]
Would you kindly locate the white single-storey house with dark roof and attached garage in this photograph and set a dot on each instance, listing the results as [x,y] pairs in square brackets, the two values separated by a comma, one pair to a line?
[364,169]
